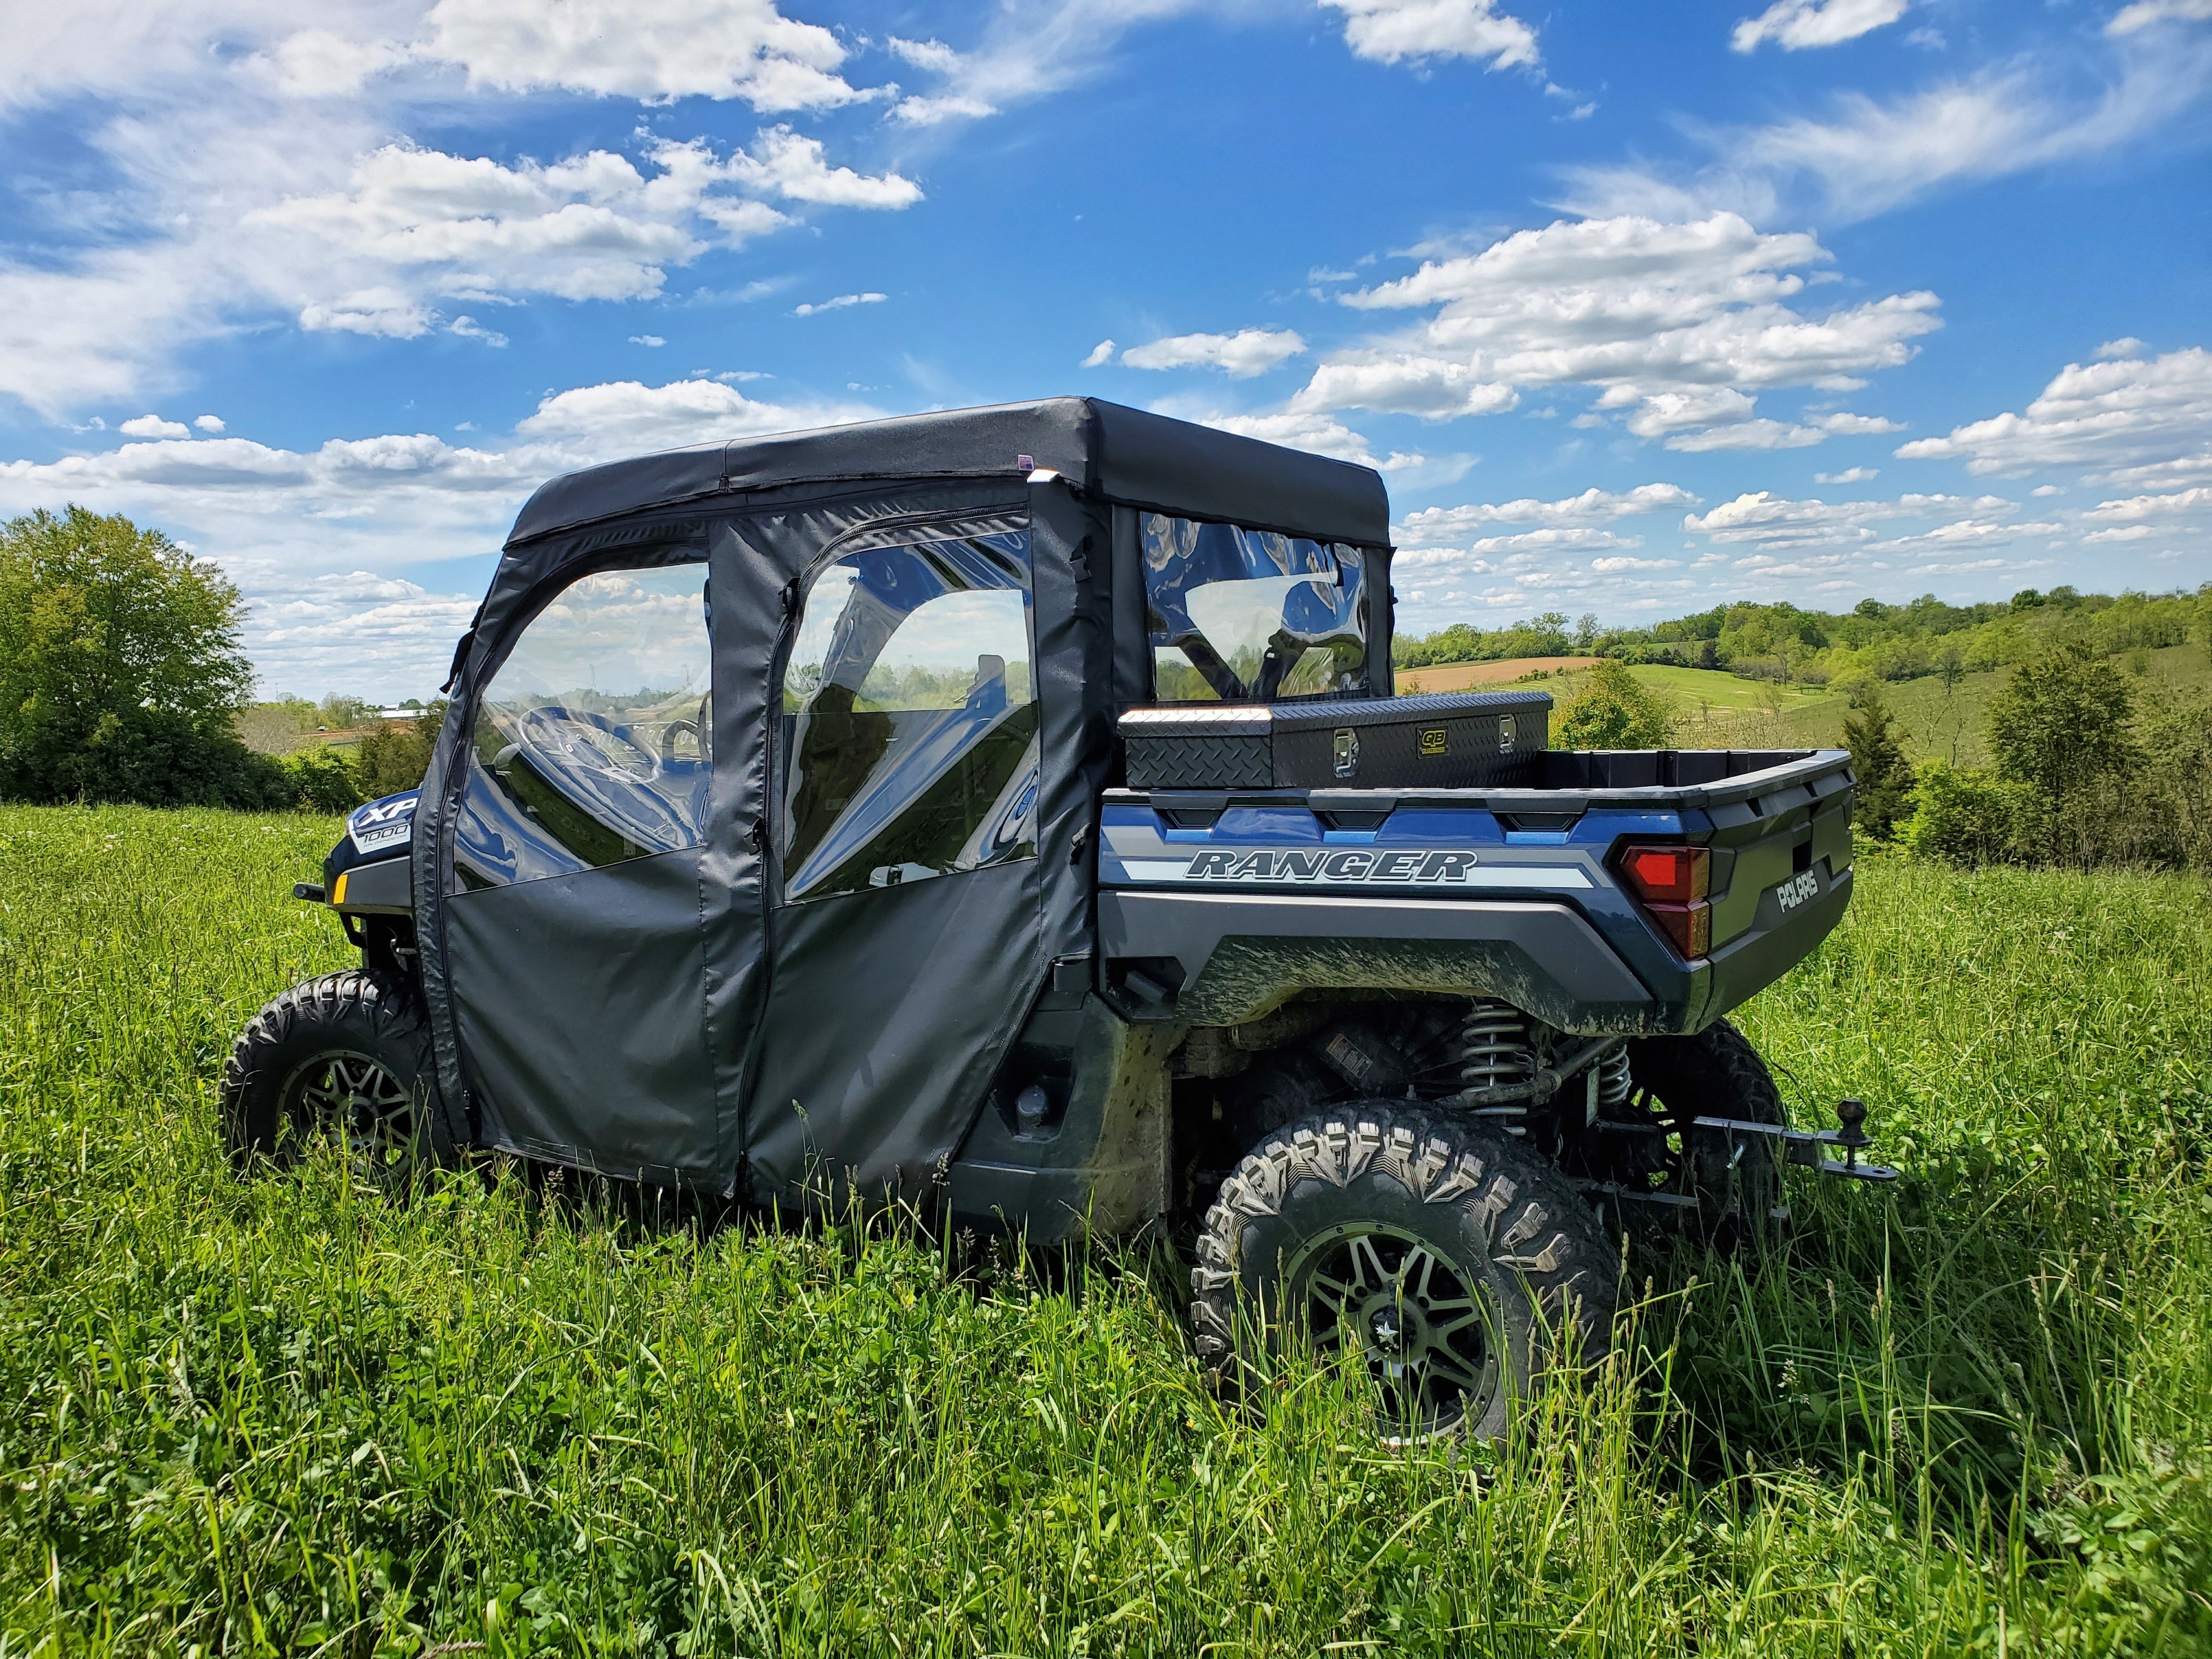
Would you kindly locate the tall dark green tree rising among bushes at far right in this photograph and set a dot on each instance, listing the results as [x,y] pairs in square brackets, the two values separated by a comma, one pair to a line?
[2060,727]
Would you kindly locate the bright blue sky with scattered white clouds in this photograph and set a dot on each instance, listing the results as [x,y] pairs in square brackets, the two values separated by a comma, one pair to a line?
[1640,309]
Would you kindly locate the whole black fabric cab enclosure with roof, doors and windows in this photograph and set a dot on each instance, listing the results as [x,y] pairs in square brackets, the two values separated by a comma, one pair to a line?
[764,802]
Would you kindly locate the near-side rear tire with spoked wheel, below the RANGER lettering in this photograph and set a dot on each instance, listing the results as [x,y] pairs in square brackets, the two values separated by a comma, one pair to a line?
[1512,1238]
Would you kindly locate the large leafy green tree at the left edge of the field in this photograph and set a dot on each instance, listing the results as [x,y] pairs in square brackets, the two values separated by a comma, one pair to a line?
[121,669]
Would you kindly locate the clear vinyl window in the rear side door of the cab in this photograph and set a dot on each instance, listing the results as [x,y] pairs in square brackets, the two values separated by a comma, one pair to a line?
[910,718]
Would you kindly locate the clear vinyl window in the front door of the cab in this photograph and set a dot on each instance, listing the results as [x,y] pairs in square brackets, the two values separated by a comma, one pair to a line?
[594,738]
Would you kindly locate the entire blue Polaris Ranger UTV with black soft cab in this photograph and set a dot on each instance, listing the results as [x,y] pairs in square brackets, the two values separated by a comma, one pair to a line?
[1010,808]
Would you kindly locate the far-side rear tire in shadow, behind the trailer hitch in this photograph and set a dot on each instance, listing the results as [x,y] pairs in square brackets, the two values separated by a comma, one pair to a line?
[1720,1074]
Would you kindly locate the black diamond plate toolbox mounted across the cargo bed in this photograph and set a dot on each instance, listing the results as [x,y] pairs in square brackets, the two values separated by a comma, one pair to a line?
[1439,742]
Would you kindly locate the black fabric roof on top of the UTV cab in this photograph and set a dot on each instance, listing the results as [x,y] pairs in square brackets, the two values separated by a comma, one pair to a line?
[1103,448]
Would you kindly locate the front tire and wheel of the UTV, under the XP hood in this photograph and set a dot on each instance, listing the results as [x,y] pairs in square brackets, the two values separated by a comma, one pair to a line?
[348,1058]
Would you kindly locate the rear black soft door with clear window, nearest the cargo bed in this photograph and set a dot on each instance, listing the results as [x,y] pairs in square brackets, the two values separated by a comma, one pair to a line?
[906,930]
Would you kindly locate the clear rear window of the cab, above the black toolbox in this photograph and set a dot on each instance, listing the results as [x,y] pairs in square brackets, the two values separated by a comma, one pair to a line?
[1251,616]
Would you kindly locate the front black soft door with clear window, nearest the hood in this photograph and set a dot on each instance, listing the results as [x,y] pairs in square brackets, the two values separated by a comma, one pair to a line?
[576,921]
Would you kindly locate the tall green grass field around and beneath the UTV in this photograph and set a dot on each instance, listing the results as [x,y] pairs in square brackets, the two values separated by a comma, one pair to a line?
[1963,1417]
